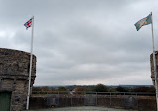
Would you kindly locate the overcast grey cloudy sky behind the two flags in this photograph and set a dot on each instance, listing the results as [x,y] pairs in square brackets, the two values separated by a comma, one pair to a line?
[83,42]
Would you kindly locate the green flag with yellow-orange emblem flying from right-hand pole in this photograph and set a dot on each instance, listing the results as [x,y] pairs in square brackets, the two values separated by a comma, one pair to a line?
[145,21]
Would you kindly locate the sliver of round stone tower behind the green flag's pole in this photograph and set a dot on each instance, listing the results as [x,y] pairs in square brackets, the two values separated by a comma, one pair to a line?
[152,66]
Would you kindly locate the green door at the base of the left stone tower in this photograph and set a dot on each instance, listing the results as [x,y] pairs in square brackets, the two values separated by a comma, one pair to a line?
[5,99]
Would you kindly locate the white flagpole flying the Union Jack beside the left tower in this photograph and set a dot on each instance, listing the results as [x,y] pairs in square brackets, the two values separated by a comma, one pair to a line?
[28,96]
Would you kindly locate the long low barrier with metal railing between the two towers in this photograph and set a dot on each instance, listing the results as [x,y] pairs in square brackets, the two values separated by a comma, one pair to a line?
[128,100]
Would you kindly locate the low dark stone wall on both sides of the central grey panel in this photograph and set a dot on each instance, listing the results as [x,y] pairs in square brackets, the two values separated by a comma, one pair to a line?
[141,103]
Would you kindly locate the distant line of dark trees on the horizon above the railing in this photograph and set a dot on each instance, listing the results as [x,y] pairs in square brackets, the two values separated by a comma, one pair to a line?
[94,88]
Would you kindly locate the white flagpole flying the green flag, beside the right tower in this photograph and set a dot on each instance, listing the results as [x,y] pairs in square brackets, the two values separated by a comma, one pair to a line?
[154,62]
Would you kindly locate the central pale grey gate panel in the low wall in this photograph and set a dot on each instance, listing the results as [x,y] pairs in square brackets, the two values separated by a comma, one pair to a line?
[90,100]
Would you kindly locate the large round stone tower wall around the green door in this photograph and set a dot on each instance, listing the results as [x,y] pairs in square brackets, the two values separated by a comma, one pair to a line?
[14,73]
